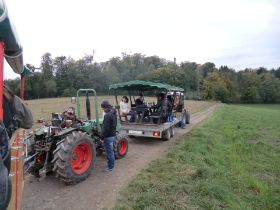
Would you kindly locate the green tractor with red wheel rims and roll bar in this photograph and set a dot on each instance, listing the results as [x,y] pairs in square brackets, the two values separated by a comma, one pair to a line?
[68,146]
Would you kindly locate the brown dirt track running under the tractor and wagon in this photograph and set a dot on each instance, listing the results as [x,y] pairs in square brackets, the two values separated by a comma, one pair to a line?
[101,189]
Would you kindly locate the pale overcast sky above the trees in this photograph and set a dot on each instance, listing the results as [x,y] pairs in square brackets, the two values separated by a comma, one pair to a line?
[236,33]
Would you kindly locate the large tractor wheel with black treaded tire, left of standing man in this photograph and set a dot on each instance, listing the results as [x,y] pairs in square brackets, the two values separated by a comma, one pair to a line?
[64,158]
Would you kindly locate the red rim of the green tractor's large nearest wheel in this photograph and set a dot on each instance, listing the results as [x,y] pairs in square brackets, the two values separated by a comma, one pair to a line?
[81,158]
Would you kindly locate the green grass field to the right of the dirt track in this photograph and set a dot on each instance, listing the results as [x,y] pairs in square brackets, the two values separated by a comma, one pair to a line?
[232,161]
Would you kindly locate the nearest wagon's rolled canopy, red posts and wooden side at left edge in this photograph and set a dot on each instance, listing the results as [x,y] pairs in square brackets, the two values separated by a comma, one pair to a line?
[11,50]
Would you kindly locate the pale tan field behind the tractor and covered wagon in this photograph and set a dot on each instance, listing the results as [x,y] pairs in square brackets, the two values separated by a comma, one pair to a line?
[42,108]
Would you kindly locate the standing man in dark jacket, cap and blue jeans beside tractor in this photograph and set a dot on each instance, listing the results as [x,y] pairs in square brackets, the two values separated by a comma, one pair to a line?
[109,133]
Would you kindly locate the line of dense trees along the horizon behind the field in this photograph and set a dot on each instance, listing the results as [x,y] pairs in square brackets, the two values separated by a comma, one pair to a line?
[62,76]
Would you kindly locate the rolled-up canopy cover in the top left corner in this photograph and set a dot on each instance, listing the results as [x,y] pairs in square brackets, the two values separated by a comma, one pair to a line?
[8,35]
